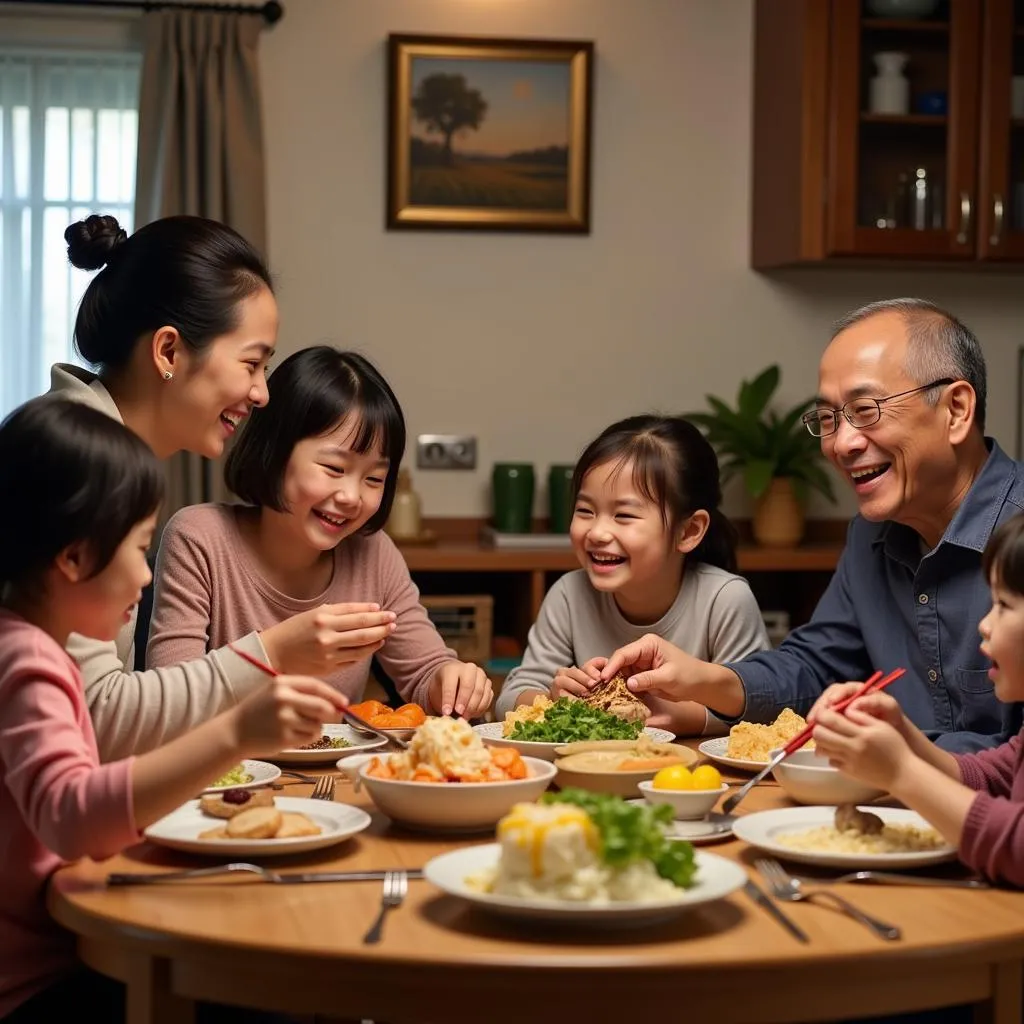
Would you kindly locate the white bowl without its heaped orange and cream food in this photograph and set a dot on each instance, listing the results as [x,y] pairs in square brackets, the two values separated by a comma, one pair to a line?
[450,806]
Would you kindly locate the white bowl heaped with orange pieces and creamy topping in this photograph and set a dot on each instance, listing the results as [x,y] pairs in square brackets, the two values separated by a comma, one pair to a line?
[448,781]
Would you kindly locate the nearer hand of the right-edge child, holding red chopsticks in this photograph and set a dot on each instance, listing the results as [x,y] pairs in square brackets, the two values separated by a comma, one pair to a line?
[866,747]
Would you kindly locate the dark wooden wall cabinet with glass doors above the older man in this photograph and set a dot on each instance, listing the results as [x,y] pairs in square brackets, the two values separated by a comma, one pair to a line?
[836,182]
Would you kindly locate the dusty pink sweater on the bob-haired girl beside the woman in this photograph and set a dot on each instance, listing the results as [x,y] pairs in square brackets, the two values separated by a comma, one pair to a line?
[211,591]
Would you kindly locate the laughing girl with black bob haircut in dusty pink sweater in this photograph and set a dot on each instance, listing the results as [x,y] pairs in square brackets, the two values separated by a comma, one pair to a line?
[305,561]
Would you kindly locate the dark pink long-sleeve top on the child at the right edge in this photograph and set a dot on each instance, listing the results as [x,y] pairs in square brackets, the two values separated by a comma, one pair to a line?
[993,842]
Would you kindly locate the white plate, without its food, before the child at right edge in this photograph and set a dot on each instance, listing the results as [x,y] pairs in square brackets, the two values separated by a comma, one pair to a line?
[762,830]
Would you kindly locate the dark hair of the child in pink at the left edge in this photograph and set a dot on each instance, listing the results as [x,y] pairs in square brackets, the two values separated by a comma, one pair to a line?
[70,474]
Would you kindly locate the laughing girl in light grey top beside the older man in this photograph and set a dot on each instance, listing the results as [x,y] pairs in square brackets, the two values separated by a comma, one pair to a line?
[658,556]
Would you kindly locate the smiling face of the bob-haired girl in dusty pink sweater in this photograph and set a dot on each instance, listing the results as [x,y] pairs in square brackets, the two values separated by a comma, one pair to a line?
[330,490]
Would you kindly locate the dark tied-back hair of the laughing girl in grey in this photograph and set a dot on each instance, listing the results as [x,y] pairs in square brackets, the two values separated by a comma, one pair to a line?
[675,467]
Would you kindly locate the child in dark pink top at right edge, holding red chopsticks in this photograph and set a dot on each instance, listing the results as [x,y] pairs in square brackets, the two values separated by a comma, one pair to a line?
[976,801]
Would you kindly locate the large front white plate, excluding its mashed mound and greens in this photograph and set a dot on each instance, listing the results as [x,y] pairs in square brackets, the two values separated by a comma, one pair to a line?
[716,878]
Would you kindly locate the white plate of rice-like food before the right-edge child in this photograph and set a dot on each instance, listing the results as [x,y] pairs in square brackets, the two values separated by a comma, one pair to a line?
[809,836]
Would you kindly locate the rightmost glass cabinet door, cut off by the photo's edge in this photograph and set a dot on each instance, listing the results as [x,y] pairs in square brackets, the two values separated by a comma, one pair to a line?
[1002,150]
